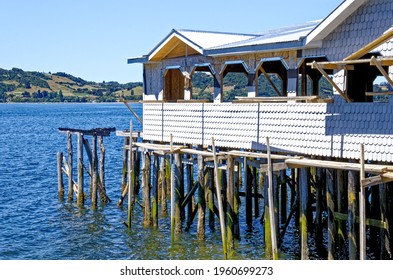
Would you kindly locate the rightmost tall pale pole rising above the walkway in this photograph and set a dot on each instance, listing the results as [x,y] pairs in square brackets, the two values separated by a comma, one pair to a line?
[362,207]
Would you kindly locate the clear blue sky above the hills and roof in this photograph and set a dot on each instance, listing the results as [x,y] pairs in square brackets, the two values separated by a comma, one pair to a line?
[93,39]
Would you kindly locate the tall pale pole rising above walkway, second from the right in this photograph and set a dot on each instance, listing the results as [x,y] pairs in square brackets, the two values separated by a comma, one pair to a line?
[271,200]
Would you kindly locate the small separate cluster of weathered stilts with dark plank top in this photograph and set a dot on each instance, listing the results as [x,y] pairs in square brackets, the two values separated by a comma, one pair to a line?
[96,169]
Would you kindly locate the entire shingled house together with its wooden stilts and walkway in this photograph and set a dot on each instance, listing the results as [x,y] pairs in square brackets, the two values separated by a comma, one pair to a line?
[320,156]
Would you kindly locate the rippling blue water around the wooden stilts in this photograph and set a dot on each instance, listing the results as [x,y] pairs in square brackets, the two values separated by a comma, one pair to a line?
[36,224]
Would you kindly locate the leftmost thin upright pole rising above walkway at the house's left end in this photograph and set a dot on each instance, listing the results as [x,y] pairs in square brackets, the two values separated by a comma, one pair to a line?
[131,178]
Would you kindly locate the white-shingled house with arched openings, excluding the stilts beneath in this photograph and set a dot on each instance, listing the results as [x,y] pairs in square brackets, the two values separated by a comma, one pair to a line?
[350,50]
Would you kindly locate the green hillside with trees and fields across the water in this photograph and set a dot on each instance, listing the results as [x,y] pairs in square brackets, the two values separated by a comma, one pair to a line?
[17,85]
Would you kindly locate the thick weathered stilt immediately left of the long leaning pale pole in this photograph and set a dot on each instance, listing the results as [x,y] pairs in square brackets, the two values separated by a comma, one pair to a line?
[201,199]
